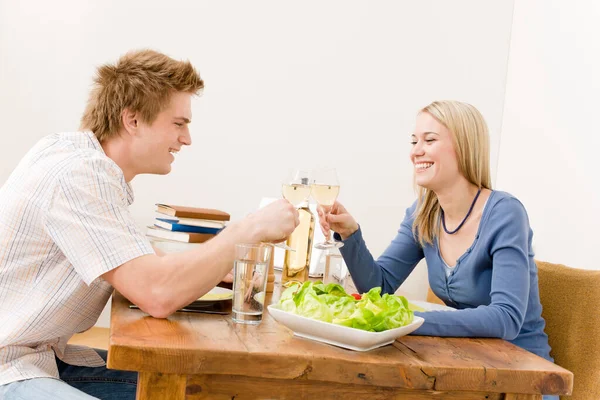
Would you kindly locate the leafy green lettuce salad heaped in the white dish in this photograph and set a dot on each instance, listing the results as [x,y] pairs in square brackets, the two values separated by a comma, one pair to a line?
[330,303]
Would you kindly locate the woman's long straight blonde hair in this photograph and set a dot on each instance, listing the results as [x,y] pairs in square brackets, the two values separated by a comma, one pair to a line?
[472,146]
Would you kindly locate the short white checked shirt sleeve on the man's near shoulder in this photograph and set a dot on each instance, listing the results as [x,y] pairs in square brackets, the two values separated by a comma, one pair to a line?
[89,220]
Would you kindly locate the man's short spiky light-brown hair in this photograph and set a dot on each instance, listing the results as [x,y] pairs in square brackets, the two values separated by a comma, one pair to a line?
[141,81]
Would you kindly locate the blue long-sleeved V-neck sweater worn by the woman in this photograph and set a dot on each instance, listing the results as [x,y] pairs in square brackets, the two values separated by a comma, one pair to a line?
[494,285]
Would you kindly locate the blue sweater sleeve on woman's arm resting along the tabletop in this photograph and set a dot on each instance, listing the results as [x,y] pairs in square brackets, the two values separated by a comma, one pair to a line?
[508,235]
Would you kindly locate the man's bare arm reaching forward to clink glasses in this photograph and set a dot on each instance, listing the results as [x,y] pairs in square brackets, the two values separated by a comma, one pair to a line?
[160,285]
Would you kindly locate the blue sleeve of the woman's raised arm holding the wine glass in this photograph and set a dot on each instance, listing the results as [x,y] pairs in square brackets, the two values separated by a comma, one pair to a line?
[392,268]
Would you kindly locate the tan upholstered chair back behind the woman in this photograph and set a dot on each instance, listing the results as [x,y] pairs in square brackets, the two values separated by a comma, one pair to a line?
[570,299]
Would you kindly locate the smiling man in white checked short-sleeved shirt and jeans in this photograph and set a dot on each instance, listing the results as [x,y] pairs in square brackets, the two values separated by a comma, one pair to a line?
[67,238]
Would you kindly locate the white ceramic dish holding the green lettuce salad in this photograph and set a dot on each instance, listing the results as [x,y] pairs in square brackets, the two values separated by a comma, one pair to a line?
[338,335]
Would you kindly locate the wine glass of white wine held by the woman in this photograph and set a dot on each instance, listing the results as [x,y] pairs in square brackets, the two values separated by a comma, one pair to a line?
[325,188]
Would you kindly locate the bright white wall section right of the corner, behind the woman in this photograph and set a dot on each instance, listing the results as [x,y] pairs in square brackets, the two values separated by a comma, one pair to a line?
[550,131]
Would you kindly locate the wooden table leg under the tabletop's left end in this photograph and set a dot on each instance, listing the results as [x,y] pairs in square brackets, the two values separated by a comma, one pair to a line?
[157,386]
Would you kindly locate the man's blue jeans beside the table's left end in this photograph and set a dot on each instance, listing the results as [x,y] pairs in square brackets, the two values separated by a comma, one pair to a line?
[76,383]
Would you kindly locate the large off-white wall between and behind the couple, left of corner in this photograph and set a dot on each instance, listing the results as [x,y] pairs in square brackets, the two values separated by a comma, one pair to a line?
[288,84]
